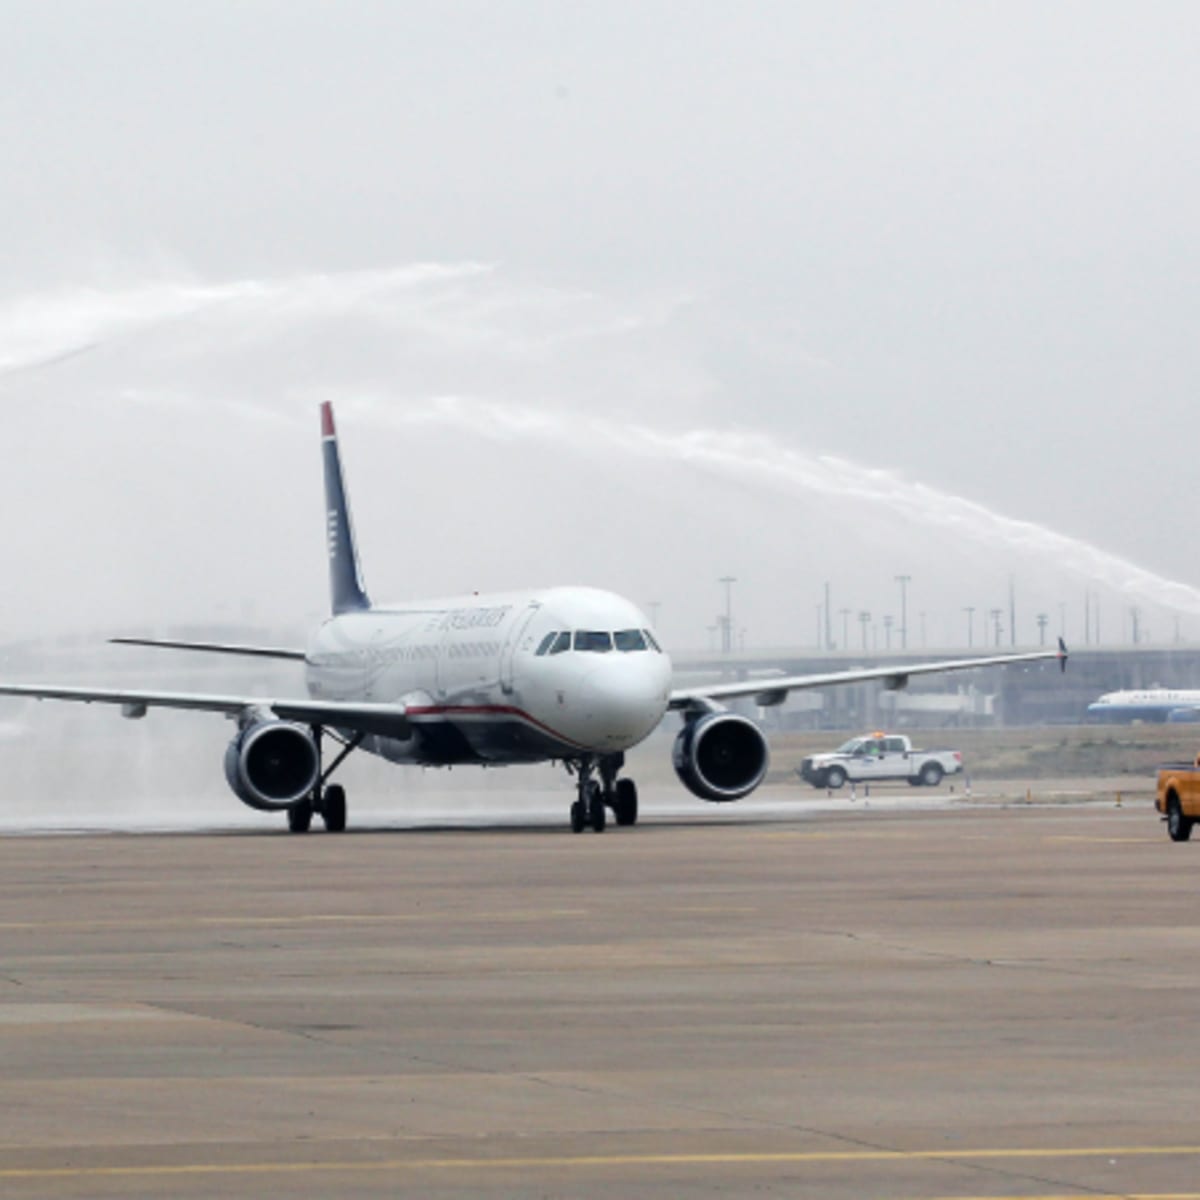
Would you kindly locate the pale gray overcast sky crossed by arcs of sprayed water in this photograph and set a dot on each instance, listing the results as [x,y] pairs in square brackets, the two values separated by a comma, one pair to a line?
[631,295]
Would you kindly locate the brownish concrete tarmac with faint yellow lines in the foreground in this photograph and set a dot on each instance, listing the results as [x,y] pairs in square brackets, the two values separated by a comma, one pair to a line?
[970,1001]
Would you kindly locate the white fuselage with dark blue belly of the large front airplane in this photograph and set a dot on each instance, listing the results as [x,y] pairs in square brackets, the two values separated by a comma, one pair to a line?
[500,679]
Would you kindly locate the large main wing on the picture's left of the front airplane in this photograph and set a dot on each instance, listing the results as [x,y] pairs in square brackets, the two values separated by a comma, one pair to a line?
[389,721]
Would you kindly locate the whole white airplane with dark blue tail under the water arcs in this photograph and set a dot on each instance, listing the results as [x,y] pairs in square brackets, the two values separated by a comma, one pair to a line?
[569,675]
